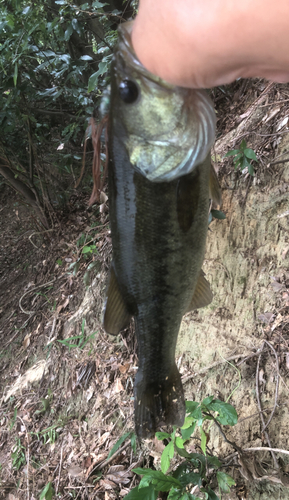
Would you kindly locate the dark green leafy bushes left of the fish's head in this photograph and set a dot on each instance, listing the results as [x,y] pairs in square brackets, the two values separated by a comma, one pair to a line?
[54,59]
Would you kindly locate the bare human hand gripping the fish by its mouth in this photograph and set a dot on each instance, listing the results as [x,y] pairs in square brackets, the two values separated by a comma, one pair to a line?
[205,43]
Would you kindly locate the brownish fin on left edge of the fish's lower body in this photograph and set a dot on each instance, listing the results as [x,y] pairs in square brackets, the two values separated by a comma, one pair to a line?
[116,316]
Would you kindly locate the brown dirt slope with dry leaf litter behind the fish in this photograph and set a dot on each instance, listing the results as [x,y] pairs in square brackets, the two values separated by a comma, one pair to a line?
[66,386]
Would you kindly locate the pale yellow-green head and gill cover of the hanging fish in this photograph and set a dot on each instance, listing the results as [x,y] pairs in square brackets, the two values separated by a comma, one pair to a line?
[180,122]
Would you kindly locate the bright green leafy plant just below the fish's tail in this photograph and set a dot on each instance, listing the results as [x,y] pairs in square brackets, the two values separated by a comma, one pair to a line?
[193,471]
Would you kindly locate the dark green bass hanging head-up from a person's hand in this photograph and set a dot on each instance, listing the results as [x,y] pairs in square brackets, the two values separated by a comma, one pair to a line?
[160,180]
